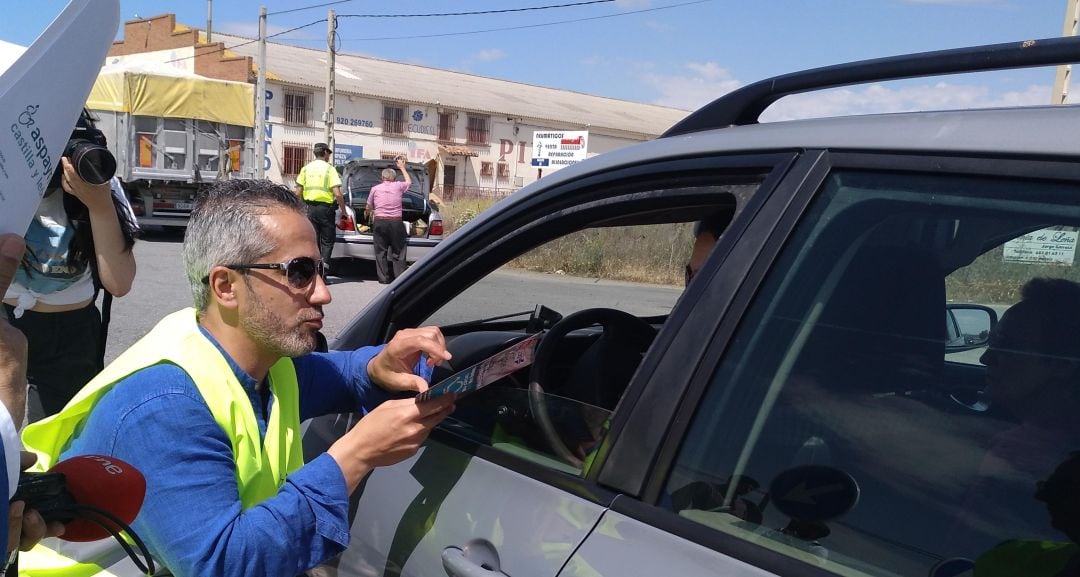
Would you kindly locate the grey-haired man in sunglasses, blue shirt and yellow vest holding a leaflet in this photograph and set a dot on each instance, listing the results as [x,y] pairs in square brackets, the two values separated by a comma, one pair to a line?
[209,405]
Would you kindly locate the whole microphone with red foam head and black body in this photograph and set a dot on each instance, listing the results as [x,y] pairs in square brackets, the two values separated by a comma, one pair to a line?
[94,497]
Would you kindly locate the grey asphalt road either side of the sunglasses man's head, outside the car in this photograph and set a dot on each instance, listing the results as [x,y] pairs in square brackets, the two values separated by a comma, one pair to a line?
[161,288]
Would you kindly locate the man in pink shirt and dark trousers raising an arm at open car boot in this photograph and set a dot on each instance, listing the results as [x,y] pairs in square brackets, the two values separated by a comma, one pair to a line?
[385,205]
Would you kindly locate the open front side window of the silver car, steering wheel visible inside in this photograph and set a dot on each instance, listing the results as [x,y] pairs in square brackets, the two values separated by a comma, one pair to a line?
[572,276]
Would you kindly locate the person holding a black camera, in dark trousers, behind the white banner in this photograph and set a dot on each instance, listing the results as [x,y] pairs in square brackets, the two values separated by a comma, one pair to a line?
[80,239]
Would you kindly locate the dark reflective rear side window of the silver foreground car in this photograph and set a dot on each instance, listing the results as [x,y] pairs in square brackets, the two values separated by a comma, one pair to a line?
[836,433]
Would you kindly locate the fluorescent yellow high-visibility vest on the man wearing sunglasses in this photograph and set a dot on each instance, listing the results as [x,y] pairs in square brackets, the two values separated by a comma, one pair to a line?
[262,467]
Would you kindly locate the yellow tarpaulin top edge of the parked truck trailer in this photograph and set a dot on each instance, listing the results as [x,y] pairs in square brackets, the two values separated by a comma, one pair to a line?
[172,97]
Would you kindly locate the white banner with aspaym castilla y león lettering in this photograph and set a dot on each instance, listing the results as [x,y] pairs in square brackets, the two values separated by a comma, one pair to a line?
[42,97]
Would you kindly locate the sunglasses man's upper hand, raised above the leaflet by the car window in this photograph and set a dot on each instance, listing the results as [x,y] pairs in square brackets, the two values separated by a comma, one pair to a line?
[393,368]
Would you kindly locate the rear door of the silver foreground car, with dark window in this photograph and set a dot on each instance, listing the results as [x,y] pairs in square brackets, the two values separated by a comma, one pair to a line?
[816,433]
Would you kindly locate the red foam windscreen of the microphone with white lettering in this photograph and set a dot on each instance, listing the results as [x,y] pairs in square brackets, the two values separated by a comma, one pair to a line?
[104,482]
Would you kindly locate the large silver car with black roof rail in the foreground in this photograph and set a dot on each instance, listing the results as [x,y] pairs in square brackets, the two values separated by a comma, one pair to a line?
[800,408]
